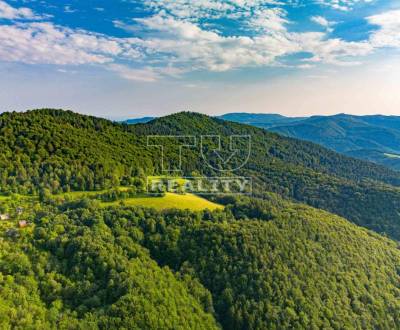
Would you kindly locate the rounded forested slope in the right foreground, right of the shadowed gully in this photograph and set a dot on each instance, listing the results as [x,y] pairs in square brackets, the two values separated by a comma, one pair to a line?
[296,268]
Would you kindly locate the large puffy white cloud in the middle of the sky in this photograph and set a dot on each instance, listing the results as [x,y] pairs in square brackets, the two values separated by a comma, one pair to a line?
[187,45]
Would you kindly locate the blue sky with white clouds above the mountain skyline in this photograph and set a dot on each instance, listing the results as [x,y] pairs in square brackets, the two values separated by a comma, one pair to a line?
[129,58]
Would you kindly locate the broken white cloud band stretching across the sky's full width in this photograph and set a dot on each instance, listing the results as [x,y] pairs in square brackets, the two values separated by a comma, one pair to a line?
[174,41]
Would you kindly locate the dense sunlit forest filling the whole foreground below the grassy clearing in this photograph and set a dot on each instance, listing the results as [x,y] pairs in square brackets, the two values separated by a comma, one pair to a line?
[260,264]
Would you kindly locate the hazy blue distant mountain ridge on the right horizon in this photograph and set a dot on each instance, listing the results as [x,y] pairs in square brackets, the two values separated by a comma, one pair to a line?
[374,138]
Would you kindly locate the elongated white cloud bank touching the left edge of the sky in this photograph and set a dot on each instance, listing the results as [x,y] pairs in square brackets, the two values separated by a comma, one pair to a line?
[46,43]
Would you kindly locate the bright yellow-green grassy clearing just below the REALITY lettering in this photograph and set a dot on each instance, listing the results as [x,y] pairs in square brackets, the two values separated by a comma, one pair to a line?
[169,201]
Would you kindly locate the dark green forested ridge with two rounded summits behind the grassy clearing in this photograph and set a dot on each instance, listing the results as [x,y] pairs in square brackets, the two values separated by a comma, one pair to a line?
[63,151]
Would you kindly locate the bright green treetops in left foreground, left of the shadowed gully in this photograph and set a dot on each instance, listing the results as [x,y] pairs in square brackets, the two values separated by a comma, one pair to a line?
[71,272]
